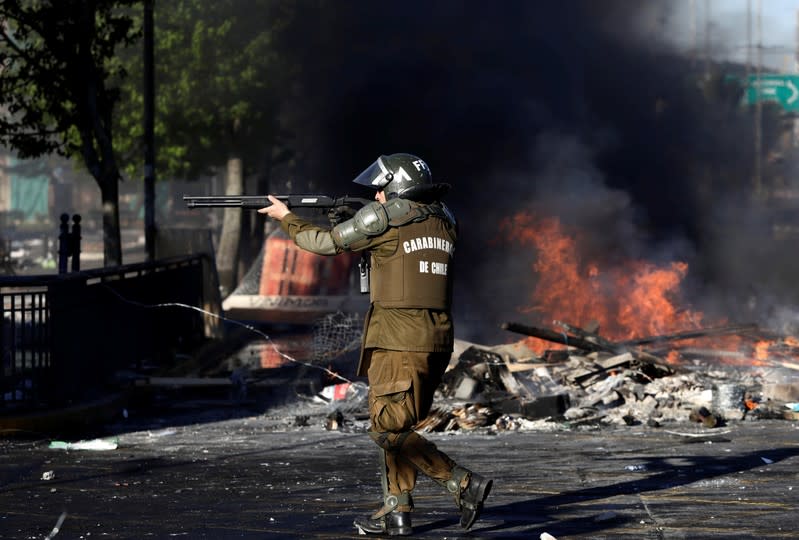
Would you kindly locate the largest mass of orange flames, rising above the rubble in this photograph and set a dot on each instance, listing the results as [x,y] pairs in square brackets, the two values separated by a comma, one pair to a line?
[635,300]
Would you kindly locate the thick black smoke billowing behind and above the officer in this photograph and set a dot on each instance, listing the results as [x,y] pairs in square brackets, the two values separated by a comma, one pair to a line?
[577,109]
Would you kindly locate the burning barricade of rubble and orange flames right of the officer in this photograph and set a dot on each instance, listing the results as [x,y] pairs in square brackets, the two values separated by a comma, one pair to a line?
[631,373]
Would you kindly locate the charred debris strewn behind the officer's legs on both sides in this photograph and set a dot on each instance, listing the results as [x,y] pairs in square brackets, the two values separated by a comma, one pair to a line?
[707,377]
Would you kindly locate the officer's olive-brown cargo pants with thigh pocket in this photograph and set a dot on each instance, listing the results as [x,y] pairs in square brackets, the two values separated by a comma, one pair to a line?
[401,389]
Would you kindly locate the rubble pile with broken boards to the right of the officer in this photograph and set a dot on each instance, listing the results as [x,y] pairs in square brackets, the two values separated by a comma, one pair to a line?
[595,381]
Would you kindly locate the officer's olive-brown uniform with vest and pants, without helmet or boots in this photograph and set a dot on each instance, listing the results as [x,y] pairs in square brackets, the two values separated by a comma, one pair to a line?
[408,339]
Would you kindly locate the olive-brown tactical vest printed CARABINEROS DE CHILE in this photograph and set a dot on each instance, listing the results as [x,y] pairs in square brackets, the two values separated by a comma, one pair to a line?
[418,275]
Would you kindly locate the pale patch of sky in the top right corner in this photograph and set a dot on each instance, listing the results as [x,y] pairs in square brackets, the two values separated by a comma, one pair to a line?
[728,29]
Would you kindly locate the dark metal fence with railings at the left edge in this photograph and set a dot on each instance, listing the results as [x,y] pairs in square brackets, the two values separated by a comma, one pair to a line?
[66,338]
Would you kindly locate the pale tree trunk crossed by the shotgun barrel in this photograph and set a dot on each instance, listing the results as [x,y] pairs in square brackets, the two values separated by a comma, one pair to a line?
[227,254]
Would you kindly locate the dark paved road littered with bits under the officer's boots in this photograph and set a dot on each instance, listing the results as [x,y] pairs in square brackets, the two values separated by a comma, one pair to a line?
[262,476]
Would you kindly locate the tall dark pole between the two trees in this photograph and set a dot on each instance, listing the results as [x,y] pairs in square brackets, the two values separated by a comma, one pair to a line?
[149,130]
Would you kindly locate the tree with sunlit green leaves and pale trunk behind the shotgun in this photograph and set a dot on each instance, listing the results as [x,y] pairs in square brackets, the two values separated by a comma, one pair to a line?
[218,93]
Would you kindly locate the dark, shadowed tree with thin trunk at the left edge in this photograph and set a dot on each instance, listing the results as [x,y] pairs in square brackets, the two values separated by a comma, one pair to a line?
[58,64]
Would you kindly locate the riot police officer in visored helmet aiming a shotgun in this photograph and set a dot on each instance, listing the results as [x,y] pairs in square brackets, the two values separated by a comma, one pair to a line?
[408,337]
